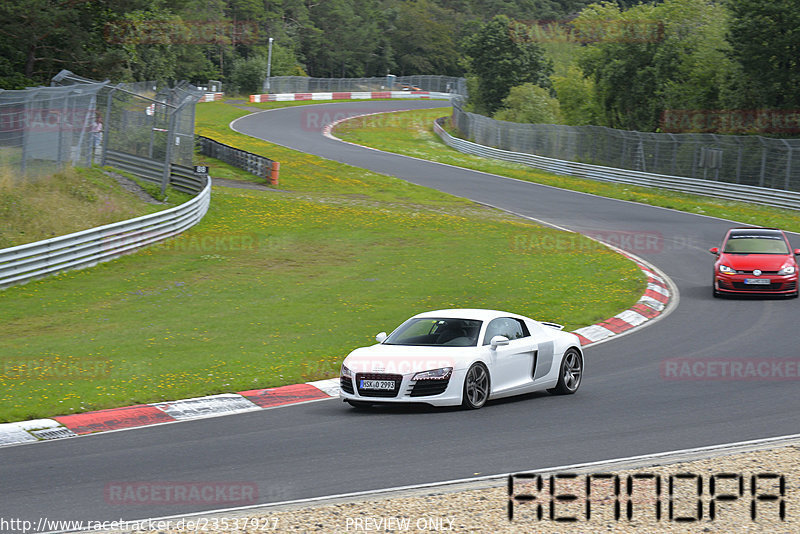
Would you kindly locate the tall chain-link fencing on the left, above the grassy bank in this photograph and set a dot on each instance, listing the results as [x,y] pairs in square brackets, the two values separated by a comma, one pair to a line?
[77,121]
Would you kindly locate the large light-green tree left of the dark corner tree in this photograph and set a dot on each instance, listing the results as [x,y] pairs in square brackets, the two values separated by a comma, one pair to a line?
[652,58]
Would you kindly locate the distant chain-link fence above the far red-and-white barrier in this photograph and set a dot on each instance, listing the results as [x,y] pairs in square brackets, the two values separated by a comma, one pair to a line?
[302,84]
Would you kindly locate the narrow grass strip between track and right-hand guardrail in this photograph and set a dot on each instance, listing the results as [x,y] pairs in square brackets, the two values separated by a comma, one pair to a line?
[411,133]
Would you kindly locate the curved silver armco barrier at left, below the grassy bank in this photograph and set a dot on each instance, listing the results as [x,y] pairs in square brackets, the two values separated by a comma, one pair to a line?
[23,263]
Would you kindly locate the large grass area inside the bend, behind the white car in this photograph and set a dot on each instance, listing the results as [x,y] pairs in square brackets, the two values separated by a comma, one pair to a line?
[276,287]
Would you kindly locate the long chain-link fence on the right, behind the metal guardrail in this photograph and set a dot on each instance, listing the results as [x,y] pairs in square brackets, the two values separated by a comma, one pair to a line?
[741,159]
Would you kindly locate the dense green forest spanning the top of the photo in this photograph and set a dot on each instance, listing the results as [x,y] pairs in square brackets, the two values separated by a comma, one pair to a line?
[623,64]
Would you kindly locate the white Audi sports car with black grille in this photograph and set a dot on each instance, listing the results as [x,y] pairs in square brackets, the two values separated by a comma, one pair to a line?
[467,357]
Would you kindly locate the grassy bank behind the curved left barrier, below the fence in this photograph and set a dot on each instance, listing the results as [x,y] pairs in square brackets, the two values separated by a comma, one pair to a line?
[69,201]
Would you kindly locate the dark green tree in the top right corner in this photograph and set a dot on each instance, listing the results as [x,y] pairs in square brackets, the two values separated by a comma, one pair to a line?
[765,44]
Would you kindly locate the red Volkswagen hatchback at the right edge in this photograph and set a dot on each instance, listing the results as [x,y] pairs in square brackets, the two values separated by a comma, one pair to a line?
[755,261]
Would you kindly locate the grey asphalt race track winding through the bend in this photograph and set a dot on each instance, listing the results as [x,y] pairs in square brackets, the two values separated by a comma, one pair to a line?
[624,408]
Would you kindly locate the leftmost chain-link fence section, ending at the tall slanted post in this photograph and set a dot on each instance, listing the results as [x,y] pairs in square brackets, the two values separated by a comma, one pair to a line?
[43,128]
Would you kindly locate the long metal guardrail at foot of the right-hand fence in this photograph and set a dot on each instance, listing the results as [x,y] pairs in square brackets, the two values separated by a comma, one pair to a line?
[759,195]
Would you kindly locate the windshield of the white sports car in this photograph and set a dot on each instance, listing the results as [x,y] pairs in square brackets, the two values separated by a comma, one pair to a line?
[437,331]
